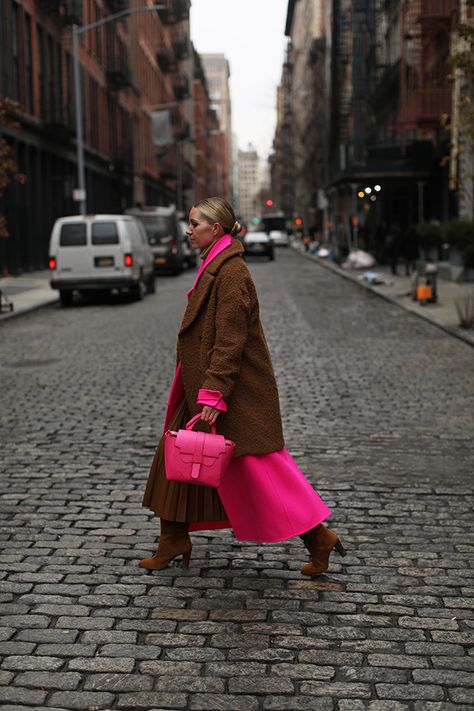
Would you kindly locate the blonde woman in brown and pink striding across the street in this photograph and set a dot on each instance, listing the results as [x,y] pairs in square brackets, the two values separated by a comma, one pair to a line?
[225,373]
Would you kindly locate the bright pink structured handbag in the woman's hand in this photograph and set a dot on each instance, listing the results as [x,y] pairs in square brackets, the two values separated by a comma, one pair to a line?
[196,457]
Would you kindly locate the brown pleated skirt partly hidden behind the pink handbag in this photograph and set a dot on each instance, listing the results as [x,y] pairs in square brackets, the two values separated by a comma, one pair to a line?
[173,500]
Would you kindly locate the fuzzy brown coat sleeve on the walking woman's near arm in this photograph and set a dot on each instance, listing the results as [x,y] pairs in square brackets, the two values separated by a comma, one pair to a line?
[232,319]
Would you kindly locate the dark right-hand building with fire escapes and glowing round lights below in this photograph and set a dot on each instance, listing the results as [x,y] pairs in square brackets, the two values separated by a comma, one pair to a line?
[390,87]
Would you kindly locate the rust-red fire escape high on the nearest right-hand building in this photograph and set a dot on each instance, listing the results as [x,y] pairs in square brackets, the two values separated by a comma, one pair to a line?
[425,89]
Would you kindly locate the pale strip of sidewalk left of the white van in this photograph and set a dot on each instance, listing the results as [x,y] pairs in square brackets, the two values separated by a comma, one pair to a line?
[27,292]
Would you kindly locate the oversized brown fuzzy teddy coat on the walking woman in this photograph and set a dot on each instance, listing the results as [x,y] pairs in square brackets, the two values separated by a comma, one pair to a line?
[221,346]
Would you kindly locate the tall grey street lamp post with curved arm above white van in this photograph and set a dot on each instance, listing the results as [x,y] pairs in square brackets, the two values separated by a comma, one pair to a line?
[78,30]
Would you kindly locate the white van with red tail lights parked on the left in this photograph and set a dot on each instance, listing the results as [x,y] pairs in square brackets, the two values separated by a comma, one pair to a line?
[100,252]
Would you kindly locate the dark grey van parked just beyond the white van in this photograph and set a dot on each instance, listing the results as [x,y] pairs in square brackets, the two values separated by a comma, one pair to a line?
[164,236]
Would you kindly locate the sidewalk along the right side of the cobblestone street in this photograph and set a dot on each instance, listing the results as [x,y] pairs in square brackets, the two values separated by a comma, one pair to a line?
[443,314]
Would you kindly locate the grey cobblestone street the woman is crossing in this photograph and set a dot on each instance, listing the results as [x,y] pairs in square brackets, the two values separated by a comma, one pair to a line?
[378,411]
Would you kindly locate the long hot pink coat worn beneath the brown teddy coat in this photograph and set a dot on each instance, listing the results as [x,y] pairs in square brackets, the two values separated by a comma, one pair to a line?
[266,497]
